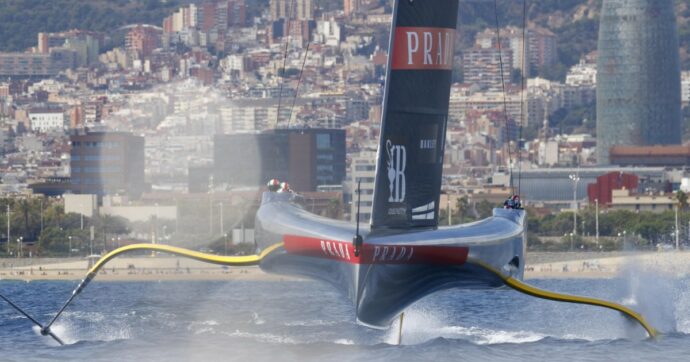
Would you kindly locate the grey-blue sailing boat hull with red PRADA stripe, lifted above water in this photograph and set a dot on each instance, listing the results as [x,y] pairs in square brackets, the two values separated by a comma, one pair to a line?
[394,269]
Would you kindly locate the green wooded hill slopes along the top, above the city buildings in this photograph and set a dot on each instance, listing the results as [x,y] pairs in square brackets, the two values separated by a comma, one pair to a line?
[575,22]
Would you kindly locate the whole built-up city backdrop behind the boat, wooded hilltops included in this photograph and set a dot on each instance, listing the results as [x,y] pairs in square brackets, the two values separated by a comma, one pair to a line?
[186,114]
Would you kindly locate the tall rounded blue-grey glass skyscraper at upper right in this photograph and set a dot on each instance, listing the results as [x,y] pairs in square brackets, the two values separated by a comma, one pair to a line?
[638,75]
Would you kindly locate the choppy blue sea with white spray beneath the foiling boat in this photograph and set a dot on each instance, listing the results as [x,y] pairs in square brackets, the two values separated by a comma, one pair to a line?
[193,321]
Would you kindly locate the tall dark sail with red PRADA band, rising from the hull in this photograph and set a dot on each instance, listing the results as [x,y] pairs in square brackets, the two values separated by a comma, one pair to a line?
[415,113]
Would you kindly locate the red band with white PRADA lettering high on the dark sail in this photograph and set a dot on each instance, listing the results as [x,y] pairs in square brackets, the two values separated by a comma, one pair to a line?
[423,48]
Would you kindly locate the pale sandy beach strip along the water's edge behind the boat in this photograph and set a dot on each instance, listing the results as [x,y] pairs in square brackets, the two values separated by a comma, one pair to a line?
[162,268]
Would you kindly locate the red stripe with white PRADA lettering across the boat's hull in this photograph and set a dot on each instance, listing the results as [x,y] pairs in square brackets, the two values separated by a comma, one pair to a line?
[375,254]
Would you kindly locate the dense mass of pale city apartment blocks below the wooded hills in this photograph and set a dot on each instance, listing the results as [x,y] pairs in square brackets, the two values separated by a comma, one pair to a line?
[209,69]
